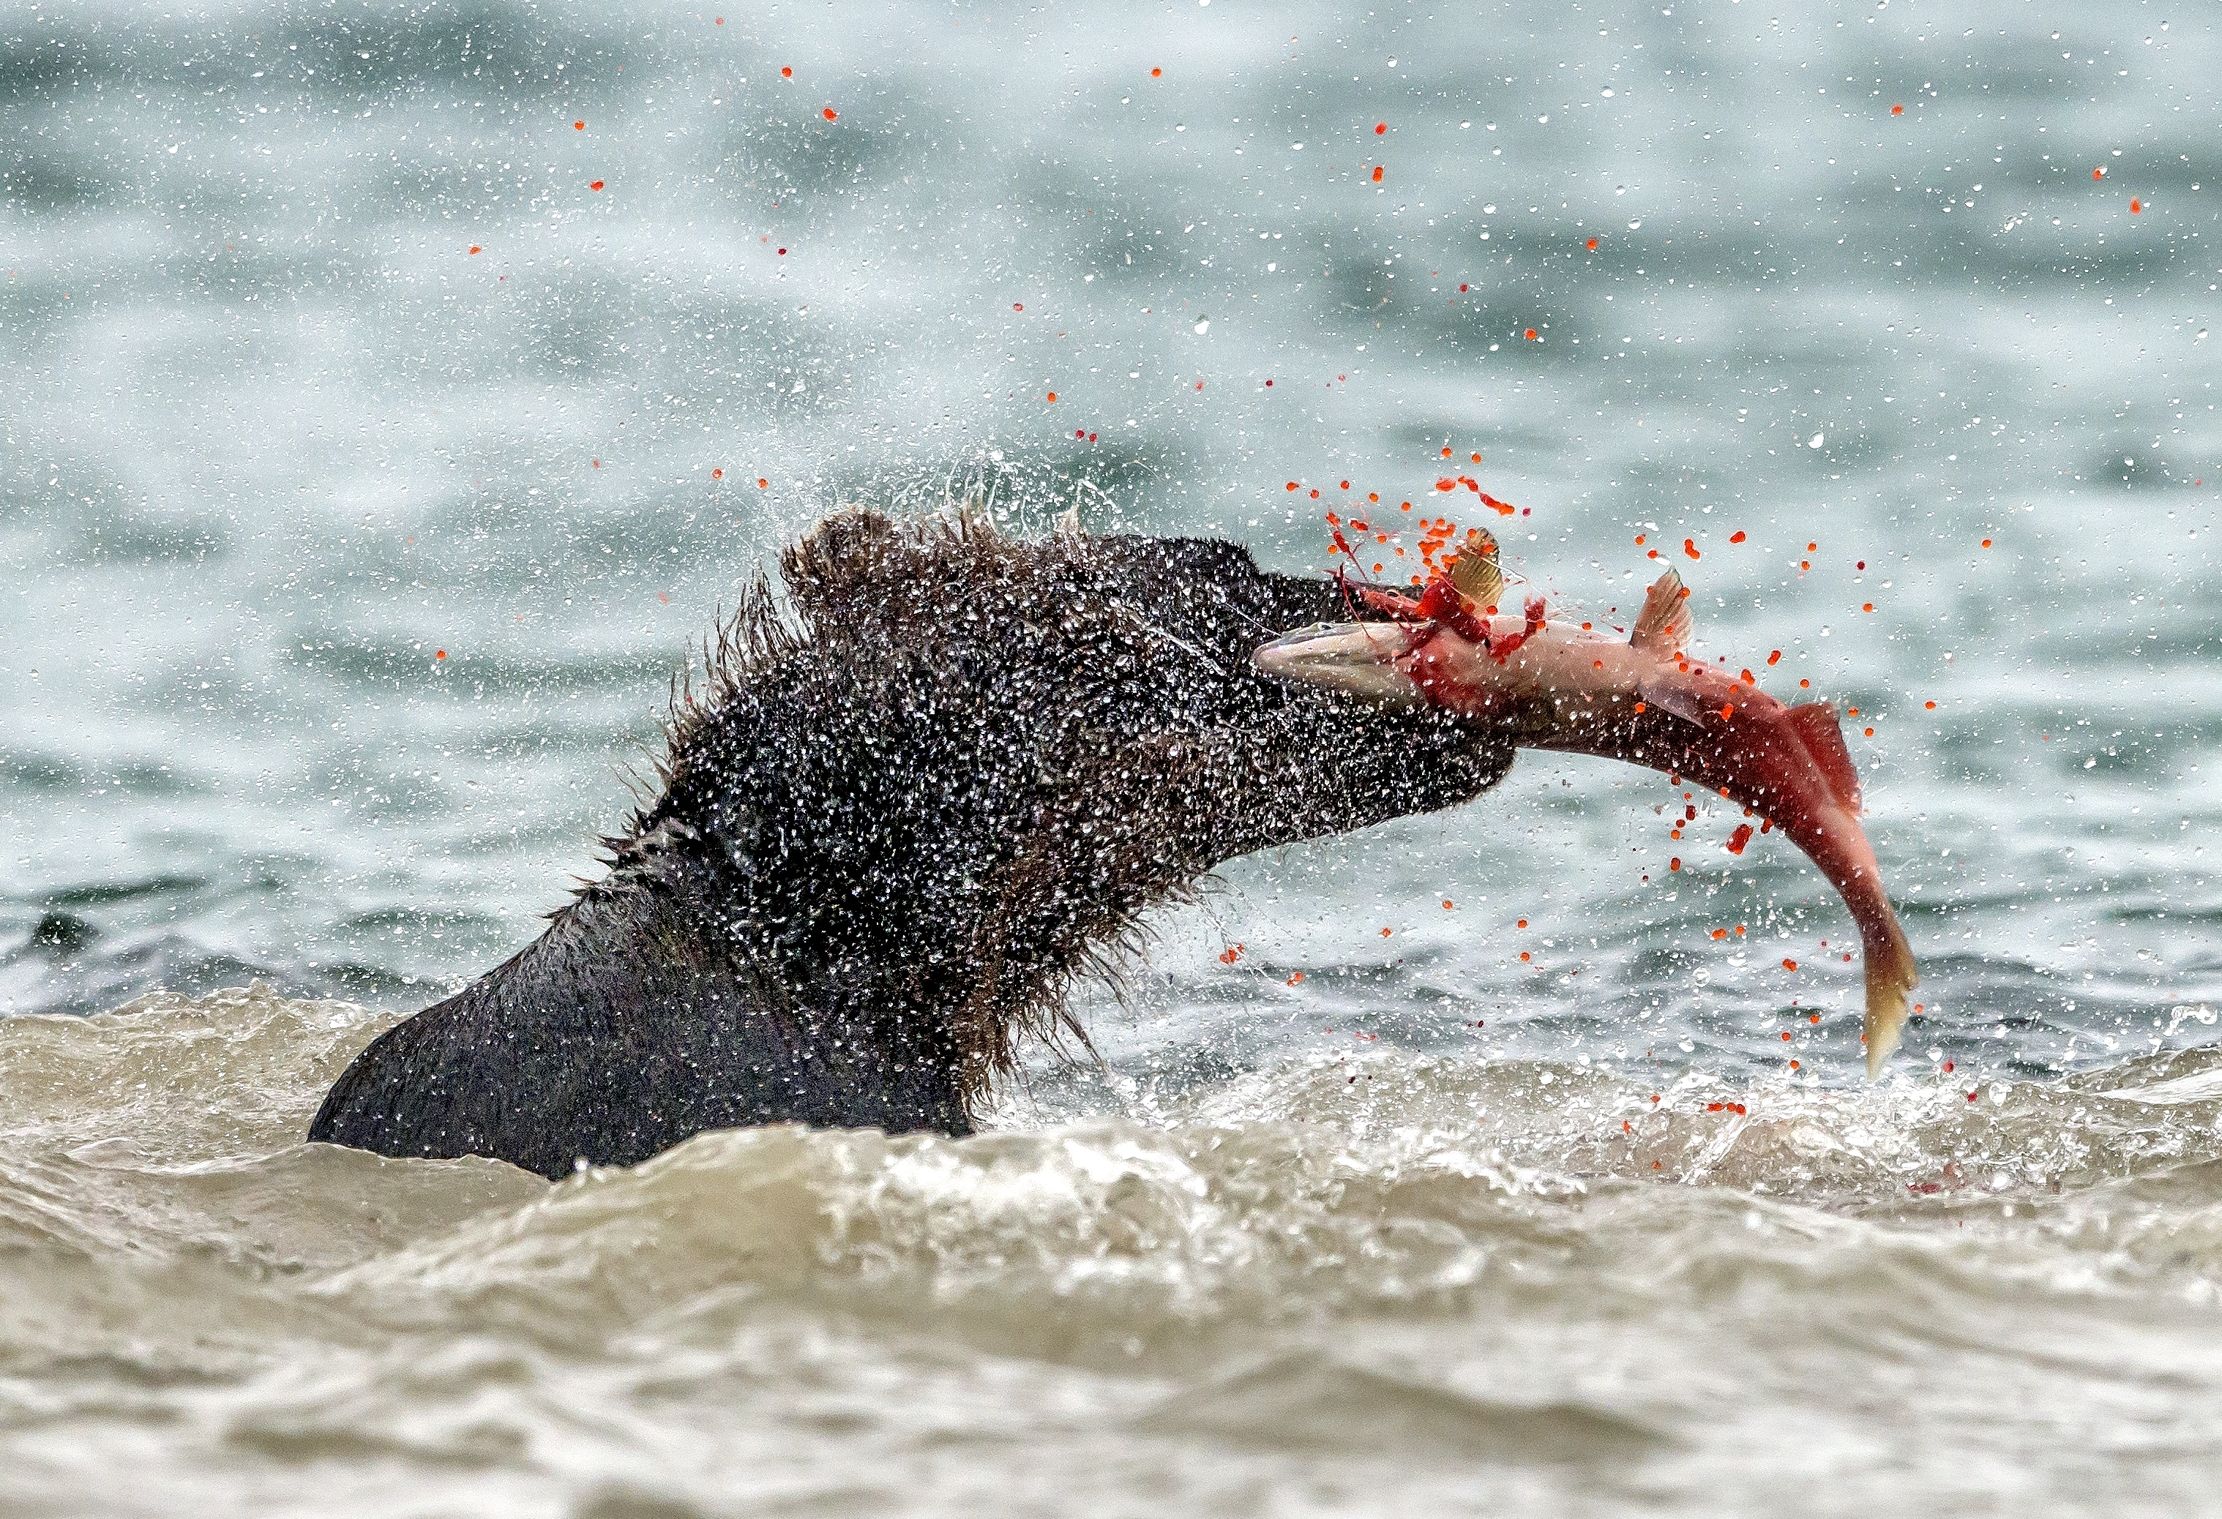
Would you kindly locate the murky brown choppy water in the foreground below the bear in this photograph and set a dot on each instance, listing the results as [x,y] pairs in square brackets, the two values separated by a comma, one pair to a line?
[1377,1285]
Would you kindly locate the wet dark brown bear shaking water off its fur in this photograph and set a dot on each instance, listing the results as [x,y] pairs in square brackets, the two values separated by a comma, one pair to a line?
[899,818]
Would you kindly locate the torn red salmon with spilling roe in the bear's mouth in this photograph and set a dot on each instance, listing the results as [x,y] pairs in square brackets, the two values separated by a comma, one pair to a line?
[1643,701]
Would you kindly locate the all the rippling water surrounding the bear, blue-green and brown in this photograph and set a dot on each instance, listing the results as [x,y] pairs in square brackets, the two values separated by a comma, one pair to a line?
[328,359]
